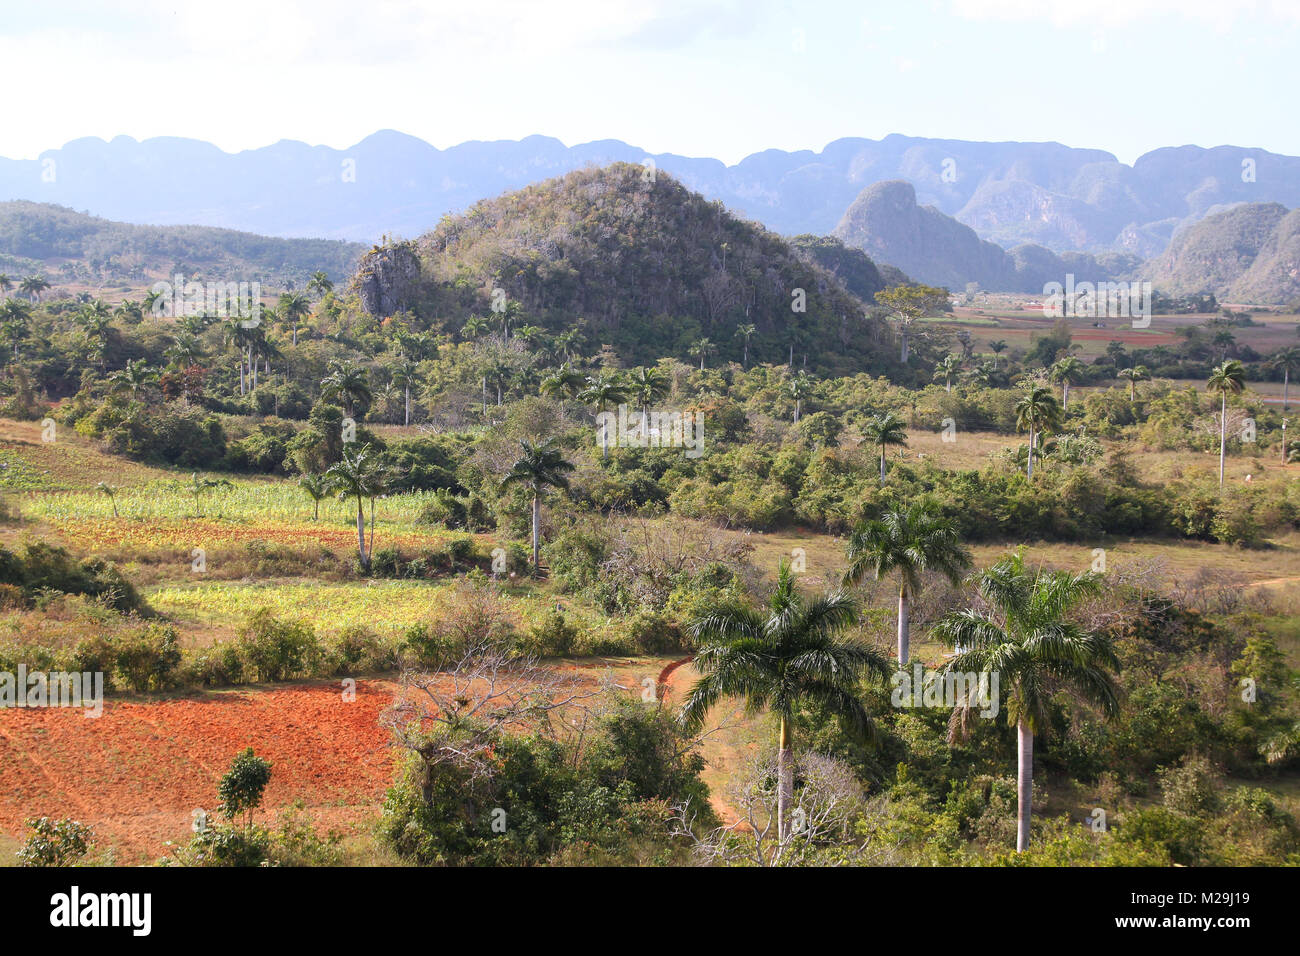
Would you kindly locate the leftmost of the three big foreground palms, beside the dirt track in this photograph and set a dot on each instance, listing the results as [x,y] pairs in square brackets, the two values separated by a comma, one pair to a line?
[778,657]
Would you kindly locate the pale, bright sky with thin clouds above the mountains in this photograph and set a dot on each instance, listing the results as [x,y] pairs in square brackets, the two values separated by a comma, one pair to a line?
[721,79]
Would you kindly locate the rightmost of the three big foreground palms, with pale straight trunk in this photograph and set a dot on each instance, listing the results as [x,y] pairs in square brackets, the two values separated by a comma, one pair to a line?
[1028,641]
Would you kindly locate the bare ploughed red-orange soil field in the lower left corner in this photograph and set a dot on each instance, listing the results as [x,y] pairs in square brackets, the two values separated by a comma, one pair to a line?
[138,773]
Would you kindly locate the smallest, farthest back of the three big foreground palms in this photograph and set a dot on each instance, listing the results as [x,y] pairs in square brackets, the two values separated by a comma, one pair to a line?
[911,543]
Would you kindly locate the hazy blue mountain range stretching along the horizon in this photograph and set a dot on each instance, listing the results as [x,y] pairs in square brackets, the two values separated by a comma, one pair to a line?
[393,184]
